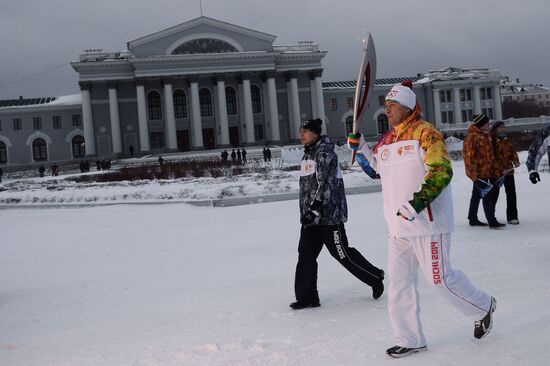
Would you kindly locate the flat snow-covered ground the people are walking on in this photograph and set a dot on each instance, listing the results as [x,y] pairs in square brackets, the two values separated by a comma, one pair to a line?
[148,285]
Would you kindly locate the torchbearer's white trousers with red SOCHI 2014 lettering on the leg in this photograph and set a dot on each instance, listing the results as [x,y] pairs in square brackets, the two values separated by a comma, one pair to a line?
[431,253]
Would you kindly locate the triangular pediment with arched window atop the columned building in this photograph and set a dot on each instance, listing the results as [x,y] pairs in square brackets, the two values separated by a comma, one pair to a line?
[201,36]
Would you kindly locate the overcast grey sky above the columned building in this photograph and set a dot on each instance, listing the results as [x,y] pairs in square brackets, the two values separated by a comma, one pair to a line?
[411,36]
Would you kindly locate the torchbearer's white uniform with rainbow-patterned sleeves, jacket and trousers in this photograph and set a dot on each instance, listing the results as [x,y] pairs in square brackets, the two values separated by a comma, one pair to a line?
[416,171]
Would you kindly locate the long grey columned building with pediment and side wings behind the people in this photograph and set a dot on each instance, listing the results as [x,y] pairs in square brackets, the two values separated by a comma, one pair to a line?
[208,84]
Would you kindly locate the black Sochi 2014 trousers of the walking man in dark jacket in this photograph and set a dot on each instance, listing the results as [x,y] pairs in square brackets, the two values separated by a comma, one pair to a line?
[334,237]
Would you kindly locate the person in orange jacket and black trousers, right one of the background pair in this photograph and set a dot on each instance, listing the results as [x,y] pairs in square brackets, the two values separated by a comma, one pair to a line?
[508,160]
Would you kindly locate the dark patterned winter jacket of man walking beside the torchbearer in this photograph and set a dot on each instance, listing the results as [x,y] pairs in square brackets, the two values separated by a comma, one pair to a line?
[321,180]
